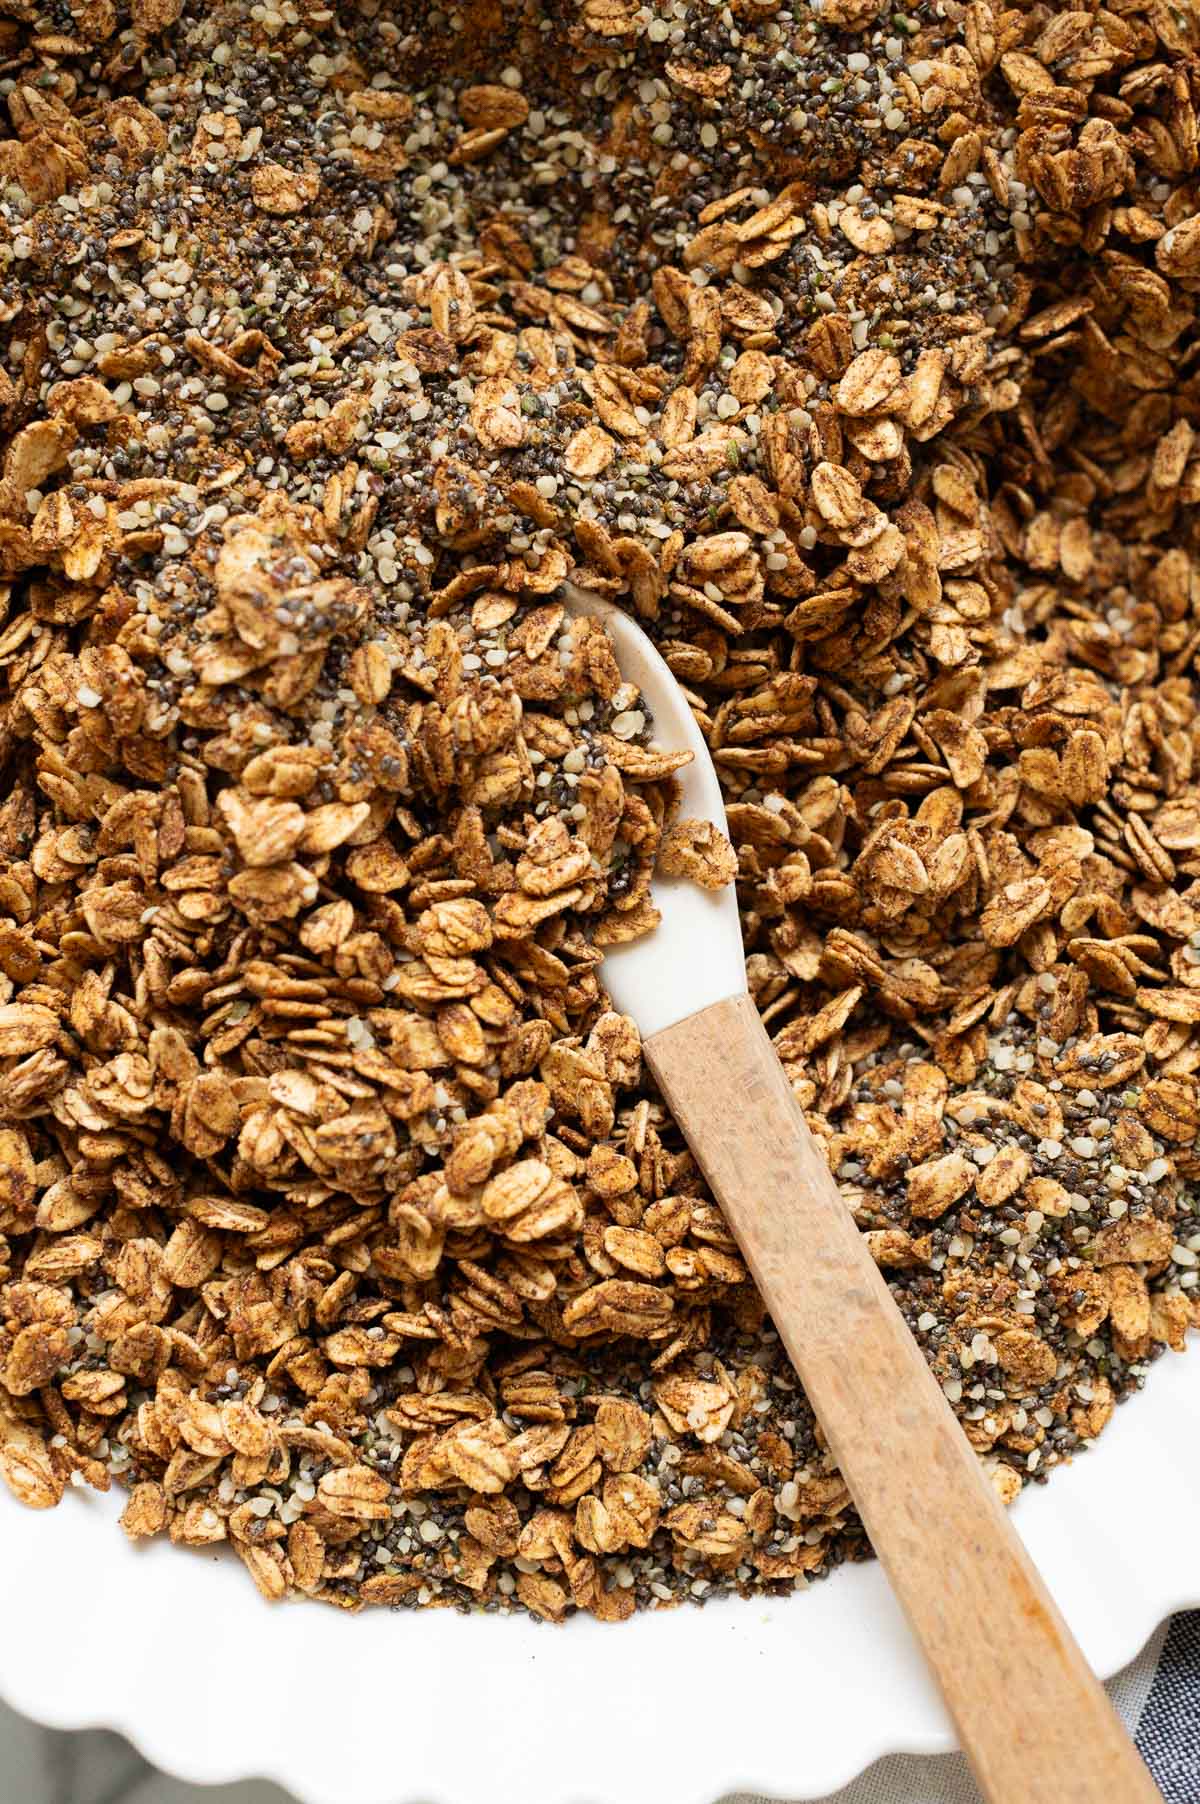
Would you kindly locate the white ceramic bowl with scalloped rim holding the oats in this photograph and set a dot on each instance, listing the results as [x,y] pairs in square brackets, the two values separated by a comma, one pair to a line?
[788,1697]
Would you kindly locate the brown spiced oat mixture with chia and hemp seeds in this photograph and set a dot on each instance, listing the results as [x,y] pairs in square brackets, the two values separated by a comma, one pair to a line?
[854,353]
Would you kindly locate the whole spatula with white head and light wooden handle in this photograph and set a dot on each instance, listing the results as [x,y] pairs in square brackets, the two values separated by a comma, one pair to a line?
[1033,1718]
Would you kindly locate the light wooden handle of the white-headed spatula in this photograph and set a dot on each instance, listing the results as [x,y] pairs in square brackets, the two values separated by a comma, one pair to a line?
[1033,1718]
